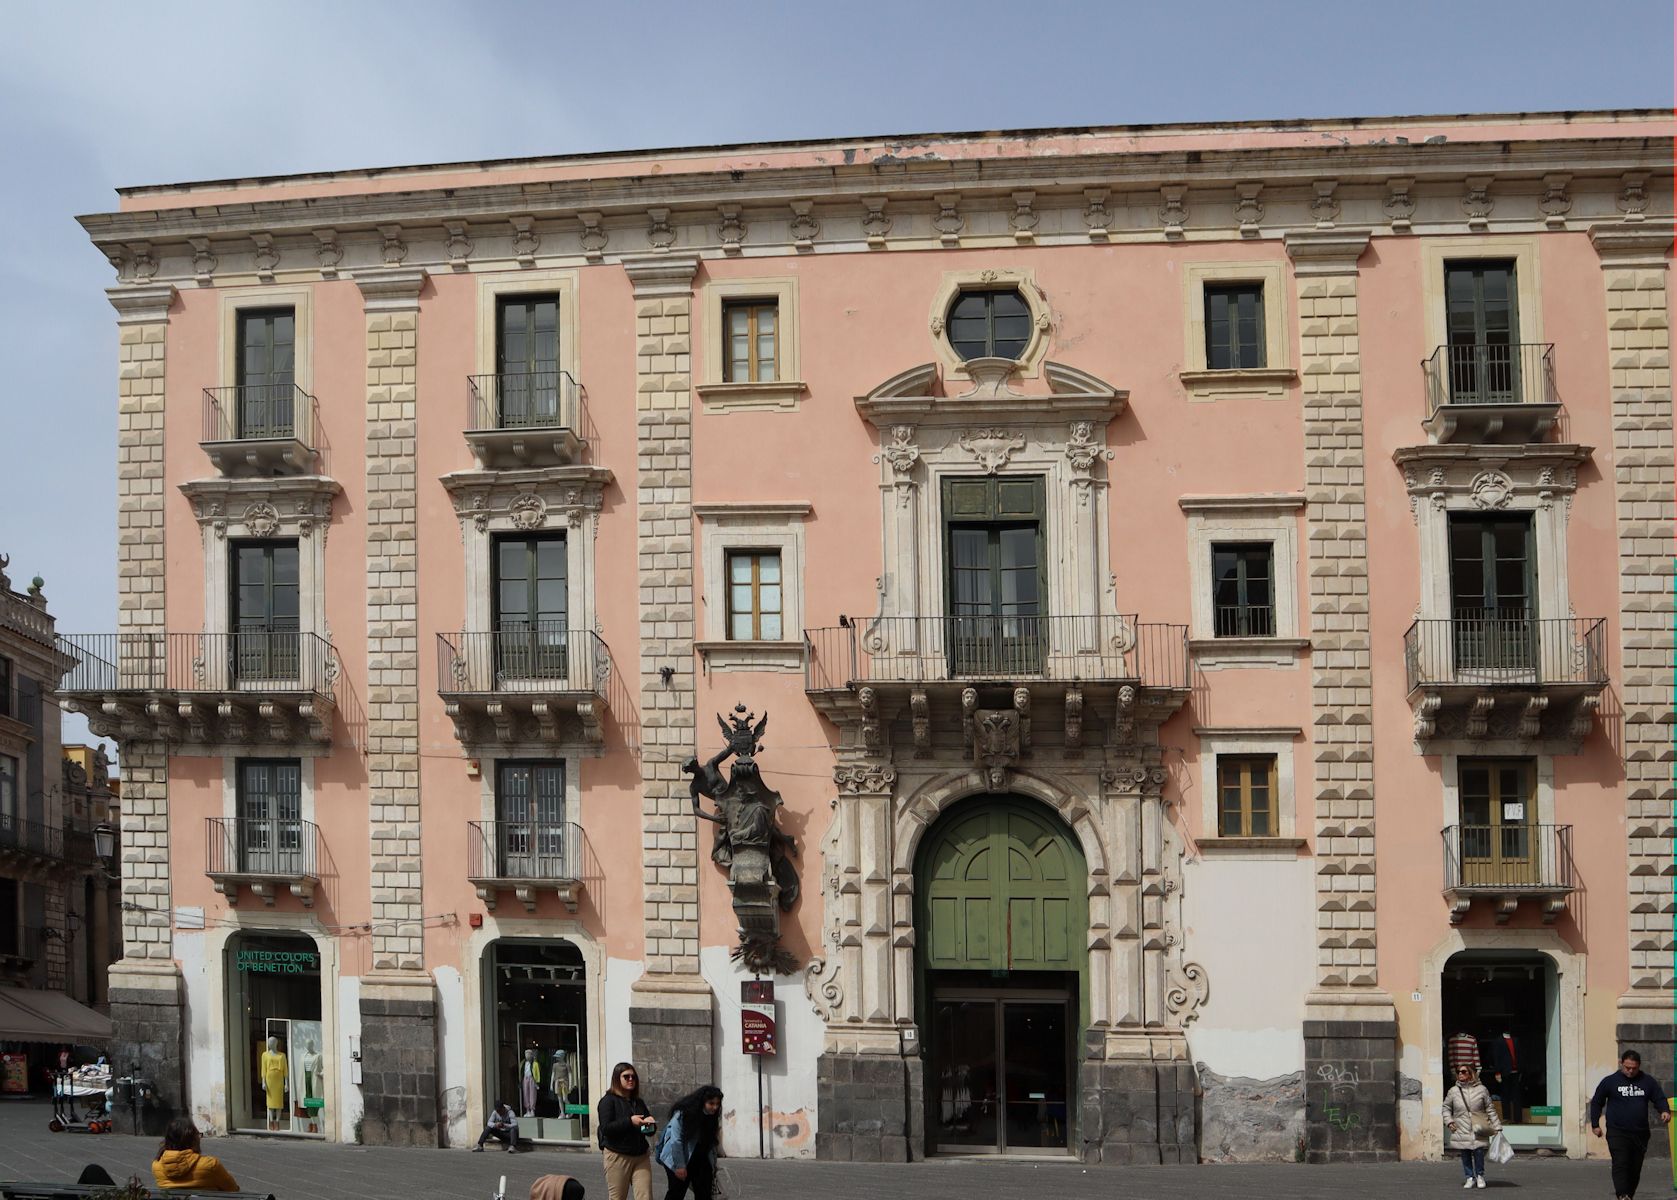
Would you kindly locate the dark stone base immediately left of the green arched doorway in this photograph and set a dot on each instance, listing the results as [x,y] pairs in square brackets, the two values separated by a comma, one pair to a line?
[870,1109]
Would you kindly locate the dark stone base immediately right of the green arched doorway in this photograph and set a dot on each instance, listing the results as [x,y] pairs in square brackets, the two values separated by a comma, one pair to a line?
[1138,1114]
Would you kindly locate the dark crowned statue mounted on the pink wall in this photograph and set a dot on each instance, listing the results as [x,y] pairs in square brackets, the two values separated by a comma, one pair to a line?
[749,844]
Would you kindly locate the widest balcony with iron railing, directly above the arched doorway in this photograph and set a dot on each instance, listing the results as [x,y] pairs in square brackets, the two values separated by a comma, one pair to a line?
[945,668]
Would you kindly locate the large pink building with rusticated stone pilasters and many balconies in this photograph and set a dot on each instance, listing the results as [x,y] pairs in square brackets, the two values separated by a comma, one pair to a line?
[1212,587]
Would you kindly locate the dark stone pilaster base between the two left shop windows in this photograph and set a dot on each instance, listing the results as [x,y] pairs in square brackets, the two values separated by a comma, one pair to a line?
[400,1060]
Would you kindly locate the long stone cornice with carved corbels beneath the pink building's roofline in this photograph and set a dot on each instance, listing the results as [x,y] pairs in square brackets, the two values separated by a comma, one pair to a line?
[1257,195]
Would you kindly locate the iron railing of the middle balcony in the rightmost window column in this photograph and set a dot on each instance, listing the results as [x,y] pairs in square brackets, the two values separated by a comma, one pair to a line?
[1507,649]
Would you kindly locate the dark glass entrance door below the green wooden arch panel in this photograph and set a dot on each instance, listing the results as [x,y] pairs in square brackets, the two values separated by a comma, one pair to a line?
[1000,1072]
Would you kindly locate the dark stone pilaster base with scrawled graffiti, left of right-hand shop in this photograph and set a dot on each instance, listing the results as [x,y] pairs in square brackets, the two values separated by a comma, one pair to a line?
[1351,1092]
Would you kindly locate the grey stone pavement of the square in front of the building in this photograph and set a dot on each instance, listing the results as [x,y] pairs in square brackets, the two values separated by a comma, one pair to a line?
[309,1171]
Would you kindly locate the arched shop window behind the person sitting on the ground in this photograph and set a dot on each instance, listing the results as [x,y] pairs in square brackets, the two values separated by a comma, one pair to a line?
[539,1030]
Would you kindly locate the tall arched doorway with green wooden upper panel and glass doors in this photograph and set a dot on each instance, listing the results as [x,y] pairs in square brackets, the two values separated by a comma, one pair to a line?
[1002,918]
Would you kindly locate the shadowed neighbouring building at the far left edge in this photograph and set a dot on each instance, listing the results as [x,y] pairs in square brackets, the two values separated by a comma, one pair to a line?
[56,908]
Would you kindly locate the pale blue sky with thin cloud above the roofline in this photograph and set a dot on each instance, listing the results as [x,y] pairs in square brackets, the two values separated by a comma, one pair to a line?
[96,96]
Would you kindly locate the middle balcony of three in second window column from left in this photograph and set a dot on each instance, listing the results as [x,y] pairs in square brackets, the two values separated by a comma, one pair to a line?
[536,685]
